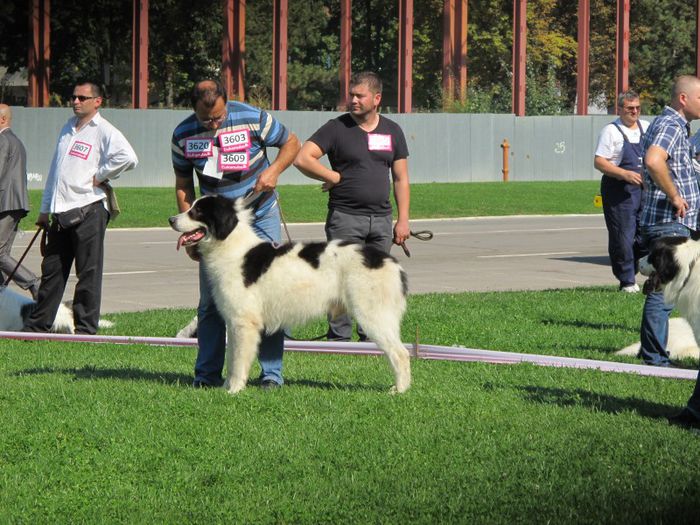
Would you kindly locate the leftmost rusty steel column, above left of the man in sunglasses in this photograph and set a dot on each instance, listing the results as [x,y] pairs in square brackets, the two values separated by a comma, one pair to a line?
[39,53]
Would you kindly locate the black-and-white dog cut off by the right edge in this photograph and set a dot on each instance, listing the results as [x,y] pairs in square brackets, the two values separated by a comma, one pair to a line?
[671,267]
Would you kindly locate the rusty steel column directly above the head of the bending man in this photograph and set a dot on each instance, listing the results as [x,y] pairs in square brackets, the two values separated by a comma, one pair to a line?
[233,49]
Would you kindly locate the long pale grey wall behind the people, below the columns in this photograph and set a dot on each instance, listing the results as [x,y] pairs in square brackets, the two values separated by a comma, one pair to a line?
[444,147]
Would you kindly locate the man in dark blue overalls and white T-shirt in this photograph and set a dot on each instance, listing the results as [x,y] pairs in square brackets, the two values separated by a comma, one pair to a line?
[619,157]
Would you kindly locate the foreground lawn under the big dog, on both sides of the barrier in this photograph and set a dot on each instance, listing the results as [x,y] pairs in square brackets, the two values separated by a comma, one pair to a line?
[113,433]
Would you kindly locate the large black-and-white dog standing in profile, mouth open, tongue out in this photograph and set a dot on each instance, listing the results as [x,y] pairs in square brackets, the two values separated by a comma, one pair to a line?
[259,286]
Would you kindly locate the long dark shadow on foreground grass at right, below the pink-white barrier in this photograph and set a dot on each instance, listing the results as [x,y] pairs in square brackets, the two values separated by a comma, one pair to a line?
[591,400]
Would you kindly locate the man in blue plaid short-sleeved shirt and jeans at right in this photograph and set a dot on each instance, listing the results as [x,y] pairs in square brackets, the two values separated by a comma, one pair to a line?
[671,199]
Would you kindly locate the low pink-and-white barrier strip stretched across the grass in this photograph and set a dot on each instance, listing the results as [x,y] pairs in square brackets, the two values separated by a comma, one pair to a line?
[430,352]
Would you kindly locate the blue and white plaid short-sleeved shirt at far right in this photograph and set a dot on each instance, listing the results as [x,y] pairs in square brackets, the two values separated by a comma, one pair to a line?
[670,132]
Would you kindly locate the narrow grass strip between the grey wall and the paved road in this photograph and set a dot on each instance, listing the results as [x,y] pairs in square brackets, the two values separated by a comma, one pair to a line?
[151,207]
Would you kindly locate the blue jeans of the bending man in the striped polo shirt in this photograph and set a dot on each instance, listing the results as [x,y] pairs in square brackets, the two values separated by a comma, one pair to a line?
[211,327]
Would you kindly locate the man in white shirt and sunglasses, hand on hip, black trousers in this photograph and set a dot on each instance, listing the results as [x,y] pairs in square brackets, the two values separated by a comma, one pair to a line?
[90,152]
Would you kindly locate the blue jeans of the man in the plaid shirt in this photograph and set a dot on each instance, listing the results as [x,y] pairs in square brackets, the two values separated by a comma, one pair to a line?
[654,329]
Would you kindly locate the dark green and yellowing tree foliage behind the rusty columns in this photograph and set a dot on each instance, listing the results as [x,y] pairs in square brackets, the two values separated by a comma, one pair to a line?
[93,40]
